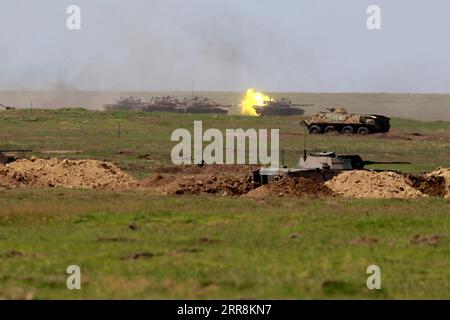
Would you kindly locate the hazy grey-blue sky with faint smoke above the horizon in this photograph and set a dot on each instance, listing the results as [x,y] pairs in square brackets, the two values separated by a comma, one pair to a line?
[283,45]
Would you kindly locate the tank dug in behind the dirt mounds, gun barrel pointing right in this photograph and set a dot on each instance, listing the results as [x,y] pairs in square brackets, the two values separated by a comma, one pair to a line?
[323,165]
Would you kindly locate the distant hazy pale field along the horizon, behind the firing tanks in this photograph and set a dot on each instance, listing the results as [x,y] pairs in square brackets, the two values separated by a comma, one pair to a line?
[411,106]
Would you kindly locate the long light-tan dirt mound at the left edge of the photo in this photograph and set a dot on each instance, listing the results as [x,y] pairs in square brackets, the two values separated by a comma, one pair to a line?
[54,172]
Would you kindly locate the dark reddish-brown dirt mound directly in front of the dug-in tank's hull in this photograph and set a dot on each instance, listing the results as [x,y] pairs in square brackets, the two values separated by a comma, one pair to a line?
[294,187]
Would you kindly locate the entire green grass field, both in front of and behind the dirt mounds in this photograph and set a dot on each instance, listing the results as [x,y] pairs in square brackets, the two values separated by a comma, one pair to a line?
[137,245]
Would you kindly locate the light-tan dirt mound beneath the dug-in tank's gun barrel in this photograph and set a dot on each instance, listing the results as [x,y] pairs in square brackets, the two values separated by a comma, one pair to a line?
[370,184]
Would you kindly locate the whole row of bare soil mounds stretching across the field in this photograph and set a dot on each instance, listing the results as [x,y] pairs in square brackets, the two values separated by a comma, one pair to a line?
[222,180]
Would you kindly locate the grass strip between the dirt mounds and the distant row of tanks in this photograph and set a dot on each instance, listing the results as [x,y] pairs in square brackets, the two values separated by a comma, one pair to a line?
[144,141]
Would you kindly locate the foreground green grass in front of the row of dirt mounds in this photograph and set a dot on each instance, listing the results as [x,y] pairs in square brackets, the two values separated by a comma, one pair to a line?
[208,247]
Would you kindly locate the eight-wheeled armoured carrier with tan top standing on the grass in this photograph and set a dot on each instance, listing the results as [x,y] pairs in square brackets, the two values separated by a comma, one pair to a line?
[339,120]
